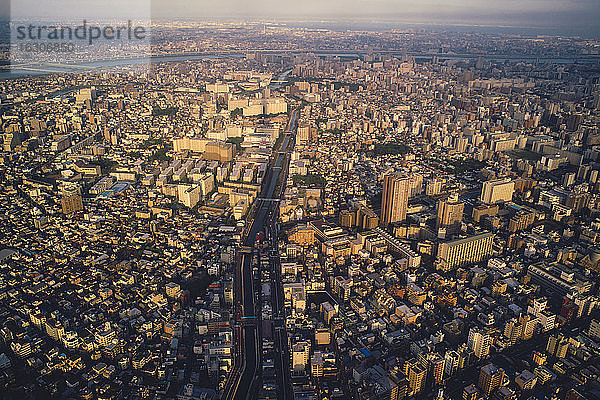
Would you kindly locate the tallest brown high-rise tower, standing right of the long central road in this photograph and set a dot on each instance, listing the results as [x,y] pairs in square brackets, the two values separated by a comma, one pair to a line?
[394,201]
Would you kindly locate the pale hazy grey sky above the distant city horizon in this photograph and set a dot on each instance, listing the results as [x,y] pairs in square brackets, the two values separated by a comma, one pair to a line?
[570,14]
